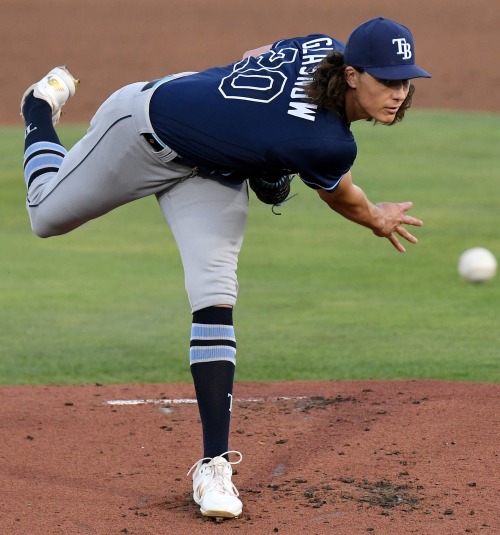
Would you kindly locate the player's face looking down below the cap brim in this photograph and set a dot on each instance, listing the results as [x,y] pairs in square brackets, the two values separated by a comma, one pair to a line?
[373,98]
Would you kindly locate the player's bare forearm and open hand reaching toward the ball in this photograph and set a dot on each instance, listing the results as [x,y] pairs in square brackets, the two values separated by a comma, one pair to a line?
[385,219]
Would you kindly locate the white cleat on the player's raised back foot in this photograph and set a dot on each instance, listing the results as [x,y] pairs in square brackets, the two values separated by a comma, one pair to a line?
[55,88]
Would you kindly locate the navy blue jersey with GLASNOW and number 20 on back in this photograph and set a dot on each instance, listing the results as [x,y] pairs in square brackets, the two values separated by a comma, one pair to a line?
[254,115]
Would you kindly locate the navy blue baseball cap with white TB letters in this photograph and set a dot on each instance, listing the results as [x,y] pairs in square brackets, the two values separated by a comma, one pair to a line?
[385,49]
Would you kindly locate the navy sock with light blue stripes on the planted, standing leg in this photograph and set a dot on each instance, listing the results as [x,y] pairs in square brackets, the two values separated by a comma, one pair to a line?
[212,359]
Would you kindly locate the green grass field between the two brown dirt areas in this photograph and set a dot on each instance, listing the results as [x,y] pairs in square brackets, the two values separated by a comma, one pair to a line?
[320,298]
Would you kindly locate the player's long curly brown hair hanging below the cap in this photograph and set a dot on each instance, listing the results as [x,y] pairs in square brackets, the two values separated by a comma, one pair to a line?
[328,87]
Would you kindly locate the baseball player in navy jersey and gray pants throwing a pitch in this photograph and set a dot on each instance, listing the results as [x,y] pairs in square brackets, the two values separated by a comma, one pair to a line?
[195,140]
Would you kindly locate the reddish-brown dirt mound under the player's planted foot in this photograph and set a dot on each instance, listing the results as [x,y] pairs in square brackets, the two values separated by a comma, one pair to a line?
[319,457]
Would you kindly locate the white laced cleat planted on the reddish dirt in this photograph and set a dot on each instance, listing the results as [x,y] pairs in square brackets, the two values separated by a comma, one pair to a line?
[213,489]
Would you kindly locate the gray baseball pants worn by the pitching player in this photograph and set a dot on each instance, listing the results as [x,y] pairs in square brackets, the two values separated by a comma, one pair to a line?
[113,165]
